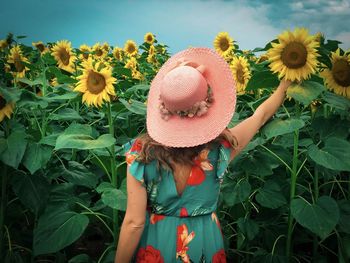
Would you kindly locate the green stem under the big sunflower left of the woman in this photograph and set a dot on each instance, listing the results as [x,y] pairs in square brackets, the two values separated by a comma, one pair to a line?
[113,169]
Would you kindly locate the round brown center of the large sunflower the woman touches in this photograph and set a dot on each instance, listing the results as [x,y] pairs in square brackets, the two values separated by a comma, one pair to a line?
[294,55]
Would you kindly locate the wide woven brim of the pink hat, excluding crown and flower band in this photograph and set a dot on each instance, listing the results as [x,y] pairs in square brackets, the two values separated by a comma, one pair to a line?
[188,132]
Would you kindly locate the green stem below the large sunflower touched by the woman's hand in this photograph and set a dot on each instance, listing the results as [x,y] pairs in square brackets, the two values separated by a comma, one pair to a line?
[294,174]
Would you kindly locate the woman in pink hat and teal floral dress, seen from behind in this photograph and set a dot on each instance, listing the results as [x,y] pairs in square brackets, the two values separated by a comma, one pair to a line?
[176,168]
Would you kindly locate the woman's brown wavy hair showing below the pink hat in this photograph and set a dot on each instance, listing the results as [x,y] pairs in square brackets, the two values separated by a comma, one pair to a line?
[184,155]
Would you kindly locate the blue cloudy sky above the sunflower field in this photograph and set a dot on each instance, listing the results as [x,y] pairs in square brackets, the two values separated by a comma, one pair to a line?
[178,24]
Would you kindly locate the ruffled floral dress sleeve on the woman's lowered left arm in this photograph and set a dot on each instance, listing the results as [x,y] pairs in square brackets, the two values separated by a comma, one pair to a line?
[132,150]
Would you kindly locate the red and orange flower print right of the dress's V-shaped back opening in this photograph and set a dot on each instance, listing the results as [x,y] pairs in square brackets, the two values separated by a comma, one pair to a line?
[201,164]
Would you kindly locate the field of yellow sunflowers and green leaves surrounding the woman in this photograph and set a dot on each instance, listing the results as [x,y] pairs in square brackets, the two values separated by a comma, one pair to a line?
[65,113]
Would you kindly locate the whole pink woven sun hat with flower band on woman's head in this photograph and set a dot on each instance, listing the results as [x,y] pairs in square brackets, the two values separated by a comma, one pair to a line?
[192,98]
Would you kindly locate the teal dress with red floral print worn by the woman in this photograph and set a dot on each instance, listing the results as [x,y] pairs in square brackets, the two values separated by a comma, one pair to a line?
[181,228]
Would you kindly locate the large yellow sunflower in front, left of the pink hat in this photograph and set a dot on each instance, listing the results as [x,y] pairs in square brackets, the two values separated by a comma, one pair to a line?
[96,83]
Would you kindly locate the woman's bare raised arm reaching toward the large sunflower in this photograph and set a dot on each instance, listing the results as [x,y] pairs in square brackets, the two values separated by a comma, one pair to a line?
[245,130]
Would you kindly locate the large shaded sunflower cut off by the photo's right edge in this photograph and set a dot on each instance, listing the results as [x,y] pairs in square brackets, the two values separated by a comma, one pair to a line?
[338,78]
